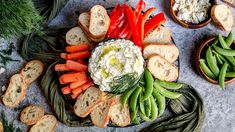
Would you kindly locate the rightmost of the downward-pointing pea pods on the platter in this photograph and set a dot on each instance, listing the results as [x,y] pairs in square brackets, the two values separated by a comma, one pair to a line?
[161,101]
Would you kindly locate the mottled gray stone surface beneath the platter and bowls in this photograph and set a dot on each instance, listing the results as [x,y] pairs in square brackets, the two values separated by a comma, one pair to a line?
[219,105]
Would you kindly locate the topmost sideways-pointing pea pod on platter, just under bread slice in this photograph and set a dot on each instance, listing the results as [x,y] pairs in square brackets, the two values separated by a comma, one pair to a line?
[170,85]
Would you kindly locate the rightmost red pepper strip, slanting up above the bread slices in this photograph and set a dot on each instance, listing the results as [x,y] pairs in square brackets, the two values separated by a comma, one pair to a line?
[157,20]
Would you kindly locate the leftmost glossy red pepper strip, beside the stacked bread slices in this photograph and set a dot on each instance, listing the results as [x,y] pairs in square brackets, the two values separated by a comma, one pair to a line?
[115,20]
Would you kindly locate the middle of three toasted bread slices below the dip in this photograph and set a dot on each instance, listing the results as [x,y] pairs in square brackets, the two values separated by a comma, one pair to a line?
[101,114]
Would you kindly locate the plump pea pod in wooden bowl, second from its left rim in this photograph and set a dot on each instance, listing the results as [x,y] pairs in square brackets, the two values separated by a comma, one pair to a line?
[211,60]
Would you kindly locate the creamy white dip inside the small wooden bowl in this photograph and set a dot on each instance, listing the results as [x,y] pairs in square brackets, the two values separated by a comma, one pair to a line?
[192,11]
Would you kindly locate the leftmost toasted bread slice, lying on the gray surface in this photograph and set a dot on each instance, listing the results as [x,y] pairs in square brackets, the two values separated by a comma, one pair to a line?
[16,91]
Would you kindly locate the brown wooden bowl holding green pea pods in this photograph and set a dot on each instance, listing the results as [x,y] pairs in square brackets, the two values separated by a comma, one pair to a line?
[201,52]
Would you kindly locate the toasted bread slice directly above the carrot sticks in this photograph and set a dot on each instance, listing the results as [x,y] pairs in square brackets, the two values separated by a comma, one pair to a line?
[76,36]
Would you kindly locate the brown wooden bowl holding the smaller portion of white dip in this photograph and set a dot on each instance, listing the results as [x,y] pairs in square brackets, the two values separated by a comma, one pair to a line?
[191,25]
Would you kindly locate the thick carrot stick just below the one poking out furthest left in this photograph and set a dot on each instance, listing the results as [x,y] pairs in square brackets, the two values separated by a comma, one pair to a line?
[72,77]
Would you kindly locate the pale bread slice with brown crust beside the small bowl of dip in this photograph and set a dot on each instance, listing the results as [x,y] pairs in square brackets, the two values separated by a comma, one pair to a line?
[222,16]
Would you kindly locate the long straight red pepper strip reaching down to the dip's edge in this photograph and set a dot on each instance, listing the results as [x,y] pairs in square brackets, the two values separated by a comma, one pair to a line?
[132,23]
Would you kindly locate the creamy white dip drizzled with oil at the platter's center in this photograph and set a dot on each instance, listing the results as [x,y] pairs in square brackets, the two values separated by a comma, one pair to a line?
[114,58]
